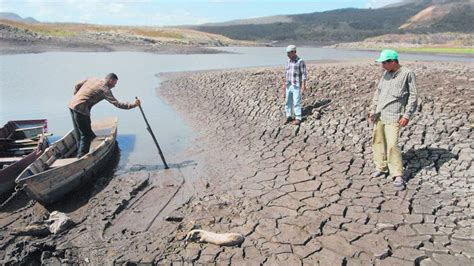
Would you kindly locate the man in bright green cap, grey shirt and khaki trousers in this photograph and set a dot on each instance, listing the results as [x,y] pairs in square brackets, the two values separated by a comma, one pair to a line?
[393,105]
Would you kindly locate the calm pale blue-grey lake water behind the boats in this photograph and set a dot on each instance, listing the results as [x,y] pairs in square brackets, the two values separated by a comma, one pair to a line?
[41,85]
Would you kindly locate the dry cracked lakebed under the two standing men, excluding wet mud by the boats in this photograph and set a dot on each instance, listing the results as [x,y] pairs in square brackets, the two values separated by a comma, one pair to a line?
[304,195]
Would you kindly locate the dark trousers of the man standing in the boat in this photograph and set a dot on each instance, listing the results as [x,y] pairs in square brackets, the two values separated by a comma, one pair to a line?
[82,132]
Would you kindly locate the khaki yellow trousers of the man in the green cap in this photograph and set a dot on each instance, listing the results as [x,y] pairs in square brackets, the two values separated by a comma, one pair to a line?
[385,148]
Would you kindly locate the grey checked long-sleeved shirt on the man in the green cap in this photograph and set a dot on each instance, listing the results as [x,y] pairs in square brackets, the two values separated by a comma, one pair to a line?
[396,96]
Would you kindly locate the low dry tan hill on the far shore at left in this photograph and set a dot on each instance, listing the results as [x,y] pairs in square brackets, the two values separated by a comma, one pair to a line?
[18,37]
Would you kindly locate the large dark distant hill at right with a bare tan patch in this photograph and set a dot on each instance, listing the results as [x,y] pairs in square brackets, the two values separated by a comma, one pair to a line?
[351,24]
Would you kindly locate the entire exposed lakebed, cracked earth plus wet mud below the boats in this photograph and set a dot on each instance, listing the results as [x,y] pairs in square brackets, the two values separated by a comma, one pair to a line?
[299,194]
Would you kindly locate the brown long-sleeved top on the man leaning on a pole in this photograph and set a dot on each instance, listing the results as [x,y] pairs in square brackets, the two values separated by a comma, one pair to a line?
[91,91]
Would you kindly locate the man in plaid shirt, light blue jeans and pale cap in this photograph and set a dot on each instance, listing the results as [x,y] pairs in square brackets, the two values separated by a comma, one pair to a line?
[294,85]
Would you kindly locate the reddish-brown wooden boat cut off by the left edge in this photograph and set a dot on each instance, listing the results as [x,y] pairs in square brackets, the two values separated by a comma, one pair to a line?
[21,142]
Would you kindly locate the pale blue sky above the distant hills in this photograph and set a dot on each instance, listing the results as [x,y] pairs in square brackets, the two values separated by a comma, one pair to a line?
[170,12]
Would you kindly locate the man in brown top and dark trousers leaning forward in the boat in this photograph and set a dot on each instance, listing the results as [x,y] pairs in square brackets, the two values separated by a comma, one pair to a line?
[86,94]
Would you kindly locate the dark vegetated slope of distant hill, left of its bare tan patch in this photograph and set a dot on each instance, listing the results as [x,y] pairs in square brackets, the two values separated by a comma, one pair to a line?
[342,25]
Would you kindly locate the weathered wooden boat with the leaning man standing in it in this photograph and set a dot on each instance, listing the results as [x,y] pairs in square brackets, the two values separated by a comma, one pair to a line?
[57,171]
